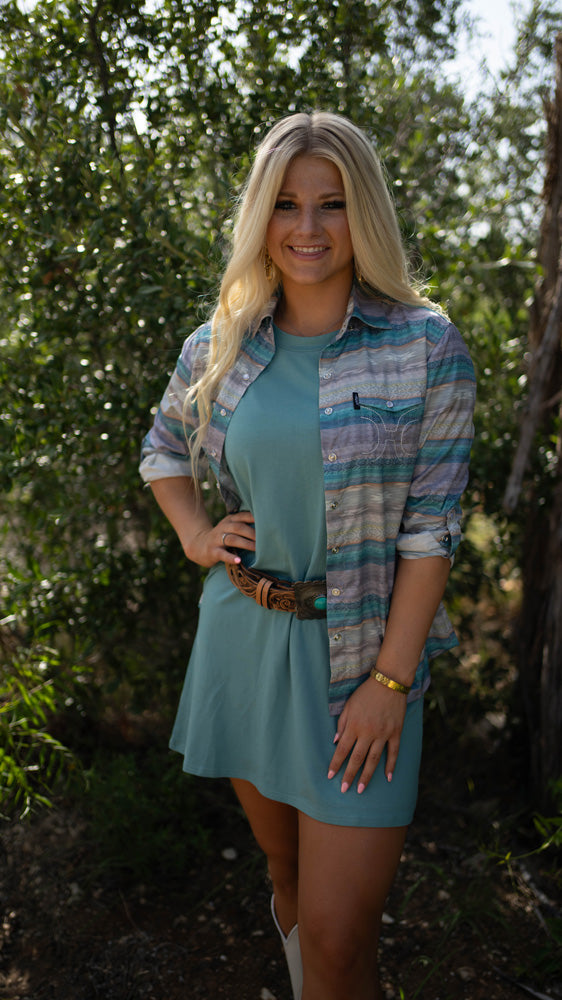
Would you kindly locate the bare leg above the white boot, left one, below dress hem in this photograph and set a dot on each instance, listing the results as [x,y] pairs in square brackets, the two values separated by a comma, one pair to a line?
[275,827]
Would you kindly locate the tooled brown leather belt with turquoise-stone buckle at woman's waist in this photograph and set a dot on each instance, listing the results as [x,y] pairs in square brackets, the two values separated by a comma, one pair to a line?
[306,598]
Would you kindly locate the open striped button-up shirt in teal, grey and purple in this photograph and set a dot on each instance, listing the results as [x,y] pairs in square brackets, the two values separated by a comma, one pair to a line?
[396,397]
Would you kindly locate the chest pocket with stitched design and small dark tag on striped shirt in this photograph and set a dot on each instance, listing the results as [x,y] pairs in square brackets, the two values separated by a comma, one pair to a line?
[387,429]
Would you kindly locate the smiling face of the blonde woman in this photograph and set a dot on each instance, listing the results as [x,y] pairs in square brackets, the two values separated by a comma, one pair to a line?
[308,234]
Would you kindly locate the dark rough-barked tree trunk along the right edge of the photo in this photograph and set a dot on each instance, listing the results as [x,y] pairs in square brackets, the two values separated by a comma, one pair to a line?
[539,634]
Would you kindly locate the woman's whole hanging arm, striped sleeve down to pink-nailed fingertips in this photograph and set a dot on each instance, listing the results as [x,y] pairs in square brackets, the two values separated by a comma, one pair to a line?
[430,532]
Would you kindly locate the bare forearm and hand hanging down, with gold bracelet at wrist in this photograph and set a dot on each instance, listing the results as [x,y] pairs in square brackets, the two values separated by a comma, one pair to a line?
[374,714]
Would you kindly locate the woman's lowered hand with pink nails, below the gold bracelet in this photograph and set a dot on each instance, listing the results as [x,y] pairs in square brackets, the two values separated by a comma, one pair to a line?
[372,718]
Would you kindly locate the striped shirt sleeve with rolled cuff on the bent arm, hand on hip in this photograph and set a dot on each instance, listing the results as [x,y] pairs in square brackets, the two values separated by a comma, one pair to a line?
[165,449]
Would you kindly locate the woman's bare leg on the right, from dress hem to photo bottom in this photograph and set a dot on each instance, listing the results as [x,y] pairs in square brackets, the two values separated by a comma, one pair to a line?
[345,874]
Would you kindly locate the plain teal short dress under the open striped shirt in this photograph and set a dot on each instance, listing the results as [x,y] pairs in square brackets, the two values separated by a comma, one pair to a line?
[255,699]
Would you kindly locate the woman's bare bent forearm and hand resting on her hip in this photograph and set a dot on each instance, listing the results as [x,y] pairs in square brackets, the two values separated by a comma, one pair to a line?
[202,541]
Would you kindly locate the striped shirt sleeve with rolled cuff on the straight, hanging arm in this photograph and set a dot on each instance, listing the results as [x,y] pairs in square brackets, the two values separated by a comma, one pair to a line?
[431,523]
